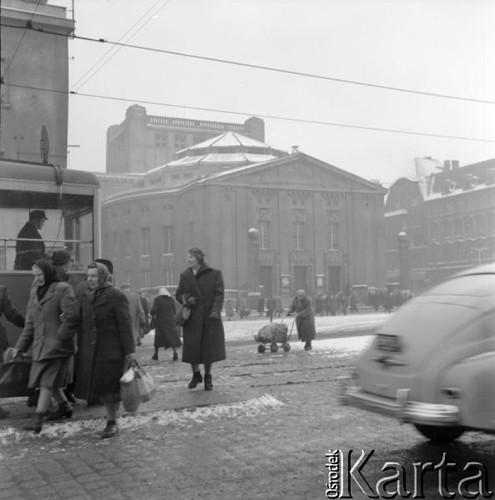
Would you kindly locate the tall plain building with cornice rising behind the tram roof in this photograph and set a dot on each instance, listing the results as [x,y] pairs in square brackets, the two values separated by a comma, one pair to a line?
[34,70]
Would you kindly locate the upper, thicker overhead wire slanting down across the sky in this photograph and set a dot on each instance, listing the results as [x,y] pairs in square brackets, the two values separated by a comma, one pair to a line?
[269,68]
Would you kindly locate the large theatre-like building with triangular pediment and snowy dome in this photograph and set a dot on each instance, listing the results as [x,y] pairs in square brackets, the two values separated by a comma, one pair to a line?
[266,218]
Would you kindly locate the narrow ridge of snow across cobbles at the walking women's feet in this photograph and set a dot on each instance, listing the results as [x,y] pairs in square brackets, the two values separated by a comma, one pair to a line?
[249,408]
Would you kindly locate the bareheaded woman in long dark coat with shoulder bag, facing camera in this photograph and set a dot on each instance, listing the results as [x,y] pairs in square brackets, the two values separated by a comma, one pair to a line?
[202,289]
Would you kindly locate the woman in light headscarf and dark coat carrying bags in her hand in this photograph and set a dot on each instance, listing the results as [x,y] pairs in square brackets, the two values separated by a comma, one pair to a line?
[105,344]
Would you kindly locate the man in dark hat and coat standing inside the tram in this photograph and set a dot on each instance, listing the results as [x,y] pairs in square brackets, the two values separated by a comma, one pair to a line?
[28,252]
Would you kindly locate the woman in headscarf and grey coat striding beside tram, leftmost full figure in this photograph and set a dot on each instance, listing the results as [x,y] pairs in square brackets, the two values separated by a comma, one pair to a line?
[51,325]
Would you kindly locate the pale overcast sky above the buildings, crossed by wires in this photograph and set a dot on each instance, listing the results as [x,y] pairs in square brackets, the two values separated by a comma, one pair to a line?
[435,46]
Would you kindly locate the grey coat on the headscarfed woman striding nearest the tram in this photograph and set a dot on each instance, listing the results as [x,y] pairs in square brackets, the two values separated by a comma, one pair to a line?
[51,323]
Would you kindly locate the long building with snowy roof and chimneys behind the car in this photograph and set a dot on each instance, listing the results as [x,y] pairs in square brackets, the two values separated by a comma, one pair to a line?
[448,217]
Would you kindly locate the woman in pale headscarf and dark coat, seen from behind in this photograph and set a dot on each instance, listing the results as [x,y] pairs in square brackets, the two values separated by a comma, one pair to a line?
[163,320]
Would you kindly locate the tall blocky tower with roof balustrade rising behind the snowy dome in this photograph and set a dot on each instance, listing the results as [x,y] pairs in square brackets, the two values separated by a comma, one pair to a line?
[142,142]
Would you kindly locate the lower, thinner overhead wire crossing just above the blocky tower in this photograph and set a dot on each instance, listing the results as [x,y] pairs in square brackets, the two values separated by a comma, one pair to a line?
[262,115]
